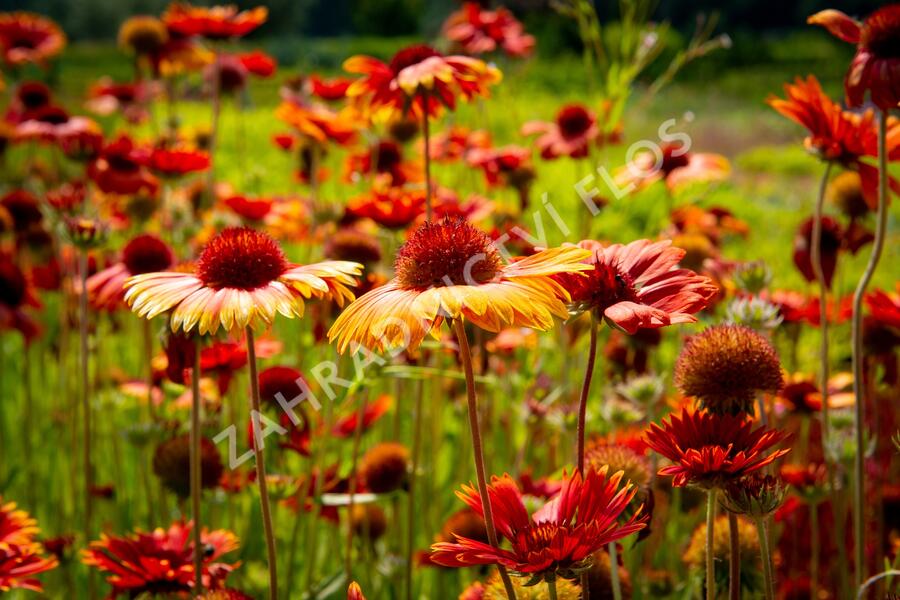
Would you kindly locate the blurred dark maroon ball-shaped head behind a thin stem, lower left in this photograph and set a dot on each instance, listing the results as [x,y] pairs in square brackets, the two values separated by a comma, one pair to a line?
[172,464]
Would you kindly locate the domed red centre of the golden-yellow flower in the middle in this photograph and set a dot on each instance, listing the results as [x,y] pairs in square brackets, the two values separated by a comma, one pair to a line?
[450,252]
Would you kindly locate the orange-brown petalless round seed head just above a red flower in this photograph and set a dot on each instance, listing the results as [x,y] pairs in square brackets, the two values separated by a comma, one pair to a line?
[726,366]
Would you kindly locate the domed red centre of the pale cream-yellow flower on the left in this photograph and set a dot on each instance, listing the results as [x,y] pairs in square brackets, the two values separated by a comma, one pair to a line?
[241,258]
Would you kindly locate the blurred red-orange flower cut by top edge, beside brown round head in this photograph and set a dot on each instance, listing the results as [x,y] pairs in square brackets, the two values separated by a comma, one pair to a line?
[215,23]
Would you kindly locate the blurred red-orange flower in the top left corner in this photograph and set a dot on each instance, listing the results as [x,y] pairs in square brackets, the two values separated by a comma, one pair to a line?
[26,37]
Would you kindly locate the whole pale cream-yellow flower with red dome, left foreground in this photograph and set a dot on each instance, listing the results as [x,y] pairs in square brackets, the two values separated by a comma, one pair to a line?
[242,277]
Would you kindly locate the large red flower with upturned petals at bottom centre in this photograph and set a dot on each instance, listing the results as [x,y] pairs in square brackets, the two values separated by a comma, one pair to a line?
[555,540]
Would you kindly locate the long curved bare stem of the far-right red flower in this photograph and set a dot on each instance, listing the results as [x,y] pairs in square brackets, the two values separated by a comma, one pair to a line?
[856,335]
